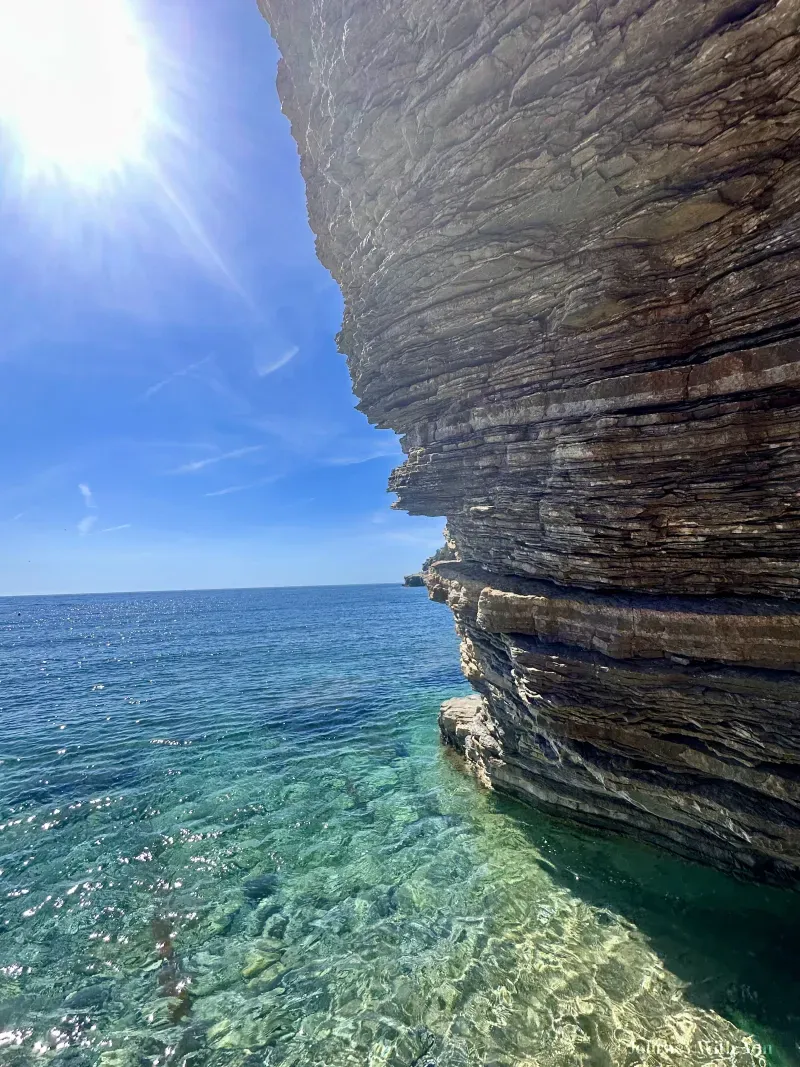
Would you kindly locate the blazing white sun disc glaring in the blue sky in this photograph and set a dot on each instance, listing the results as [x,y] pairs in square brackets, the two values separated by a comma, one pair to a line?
[75,89]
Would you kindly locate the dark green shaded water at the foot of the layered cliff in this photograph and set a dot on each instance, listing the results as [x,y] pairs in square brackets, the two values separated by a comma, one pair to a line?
[735,945]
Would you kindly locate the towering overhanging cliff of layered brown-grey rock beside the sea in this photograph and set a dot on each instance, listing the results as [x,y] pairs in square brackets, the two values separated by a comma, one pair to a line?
[569,242]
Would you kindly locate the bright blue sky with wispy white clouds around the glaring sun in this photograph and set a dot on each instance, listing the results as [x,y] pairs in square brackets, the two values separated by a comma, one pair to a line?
[173,409]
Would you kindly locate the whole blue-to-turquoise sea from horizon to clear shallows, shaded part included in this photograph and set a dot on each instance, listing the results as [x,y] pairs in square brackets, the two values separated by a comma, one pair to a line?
[229,837]
